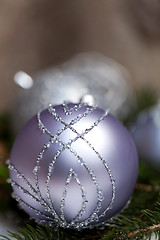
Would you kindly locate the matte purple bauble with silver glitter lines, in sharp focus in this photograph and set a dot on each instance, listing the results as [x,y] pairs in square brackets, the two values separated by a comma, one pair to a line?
[73,166]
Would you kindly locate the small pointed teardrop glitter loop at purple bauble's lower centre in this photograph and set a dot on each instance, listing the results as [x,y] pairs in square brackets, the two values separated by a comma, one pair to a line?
[84,201]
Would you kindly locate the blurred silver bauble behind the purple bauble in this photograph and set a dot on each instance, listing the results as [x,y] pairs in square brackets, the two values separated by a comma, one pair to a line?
[87,77]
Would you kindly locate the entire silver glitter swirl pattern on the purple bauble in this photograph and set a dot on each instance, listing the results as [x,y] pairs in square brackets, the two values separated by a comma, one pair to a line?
[50,216]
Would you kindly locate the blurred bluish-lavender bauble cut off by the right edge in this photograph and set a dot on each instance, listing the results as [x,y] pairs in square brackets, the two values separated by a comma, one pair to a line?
[146,133]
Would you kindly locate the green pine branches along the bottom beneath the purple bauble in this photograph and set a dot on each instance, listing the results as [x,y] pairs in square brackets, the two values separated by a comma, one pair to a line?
[121,228]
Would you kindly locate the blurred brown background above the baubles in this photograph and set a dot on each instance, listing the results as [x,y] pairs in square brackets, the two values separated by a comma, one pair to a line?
[35,34]
